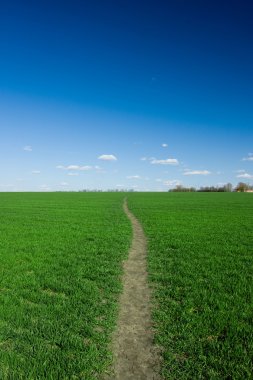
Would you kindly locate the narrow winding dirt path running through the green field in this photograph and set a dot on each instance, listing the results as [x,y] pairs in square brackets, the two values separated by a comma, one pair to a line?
[135,356]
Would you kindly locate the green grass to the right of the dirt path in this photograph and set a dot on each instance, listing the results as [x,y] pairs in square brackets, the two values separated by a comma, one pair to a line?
[200,260]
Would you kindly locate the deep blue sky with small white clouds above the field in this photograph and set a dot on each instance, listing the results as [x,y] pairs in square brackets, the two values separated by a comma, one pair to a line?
[125,94]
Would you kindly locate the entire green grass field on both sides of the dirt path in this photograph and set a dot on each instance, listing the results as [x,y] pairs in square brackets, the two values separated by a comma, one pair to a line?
[61,263]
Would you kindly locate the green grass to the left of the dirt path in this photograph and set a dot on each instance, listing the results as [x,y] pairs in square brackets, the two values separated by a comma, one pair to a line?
[60,280]
